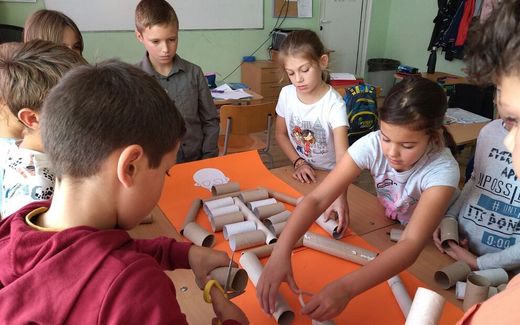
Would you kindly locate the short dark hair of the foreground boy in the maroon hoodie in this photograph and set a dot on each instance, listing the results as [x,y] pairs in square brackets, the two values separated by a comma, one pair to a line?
[95,110]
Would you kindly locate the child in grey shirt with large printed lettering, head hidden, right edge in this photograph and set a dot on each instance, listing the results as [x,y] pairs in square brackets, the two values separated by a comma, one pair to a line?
[487,209]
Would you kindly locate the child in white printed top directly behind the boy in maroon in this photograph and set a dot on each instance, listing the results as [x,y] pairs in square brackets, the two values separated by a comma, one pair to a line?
[26,78]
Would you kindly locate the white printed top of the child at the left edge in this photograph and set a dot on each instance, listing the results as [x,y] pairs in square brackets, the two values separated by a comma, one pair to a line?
[28,177]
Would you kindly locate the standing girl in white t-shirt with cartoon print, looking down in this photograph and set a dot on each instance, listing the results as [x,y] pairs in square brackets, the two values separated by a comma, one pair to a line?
[311,127]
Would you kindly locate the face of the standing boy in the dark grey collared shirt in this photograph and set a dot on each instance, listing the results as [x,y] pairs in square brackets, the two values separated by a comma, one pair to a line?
[161,43]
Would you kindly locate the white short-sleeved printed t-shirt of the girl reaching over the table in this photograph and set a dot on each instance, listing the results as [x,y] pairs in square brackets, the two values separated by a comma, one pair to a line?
[399,192]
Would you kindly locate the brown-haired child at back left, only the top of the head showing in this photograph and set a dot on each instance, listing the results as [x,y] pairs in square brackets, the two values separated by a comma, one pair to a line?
[54,26]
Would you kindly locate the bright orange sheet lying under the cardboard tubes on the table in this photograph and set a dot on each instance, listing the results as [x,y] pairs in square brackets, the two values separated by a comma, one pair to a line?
[312,269]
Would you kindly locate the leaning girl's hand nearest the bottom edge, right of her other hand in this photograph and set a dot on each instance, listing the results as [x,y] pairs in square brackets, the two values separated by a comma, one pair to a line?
[328,303]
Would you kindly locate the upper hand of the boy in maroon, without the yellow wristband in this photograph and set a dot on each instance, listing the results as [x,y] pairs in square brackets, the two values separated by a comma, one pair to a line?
[204,260]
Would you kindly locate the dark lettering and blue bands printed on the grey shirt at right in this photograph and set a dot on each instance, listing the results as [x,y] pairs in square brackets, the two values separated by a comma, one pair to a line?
[497,209]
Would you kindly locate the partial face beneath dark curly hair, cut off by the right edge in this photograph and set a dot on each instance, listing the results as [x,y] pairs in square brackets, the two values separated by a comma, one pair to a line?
[508,102]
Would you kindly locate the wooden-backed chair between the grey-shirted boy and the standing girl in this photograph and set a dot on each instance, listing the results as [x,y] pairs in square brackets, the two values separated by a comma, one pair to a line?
[240,121]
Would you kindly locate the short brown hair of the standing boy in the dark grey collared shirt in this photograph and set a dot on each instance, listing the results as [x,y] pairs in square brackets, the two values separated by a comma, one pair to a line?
[149,13]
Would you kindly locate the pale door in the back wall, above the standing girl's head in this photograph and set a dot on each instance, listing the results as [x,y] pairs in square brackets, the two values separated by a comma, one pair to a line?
[340,31]
